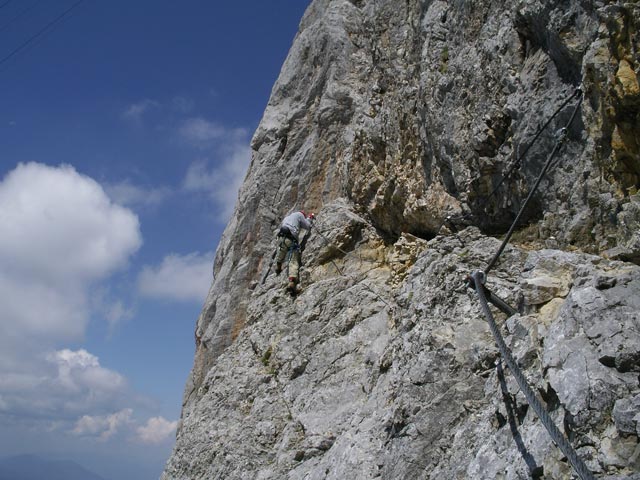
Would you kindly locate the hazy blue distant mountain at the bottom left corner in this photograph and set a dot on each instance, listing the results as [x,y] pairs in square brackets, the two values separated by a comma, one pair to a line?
[32,467]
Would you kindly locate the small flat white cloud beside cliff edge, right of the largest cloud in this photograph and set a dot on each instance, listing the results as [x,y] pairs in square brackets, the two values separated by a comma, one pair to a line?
[178,277]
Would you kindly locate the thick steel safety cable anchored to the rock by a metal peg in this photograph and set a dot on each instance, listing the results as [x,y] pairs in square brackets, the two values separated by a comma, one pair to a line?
[478,279]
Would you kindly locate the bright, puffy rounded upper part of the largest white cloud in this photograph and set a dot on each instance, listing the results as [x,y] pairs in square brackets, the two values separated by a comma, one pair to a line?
[61,224]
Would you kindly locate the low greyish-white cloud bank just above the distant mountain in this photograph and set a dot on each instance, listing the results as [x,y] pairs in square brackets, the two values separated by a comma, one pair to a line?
[71,392]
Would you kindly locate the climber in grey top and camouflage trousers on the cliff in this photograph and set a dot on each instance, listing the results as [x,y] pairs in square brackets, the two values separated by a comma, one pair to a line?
[289,246]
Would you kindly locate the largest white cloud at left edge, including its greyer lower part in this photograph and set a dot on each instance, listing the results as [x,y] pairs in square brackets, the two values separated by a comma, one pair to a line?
[61,234]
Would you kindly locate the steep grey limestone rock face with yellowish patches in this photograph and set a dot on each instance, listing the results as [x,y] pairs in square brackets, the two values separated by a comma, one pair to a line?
[387,118]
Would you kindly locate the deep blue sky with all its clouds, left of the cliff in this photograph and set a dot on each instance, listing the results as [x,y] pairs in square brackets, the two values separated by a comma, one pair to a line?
[124,134]
